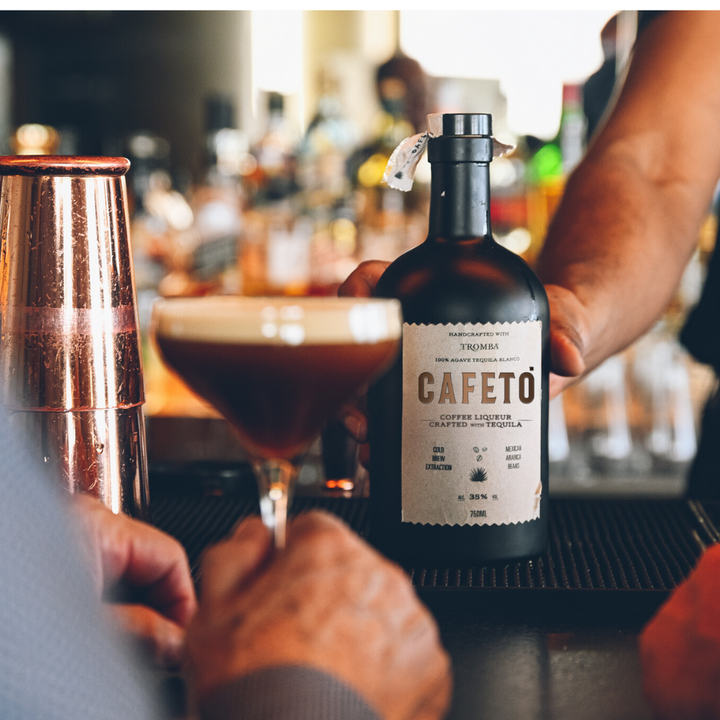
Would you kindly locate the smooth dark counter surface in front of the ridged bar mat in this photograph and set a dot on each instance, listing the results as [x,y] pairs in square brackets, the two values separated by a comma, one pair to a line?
[514,660]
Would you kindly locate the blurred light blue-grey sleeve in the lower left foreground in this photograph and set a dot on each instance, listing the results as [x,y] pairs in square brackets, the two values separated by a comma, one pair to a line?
[59,658]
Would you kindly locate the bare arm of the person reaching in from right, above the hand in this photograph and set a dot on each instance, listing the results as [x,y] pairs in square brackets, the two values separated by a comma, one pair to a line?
[631,214]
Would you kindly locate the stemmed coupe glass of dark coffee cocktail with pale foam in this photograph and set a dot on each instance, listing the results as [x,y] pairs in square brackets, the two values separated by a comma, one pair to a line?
[277,369]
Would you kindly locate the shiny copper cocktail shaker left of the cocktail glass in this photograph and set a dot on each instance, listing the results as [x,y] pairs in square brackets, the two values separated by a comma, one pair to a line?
[70,360]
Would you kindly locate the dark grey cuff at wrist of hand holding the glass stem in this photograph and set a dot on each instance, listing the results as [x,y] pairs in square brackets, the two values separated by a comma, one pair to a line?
[289,692]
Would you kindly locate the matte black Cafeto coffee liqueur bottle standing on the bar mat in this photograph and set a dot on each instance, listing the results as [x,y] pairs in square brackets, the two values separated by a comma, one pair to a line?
[458,427]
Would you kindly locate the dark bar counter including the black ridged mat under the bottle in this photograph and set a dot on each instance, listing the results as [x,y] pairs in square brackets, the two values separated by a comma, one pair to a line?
[550,638]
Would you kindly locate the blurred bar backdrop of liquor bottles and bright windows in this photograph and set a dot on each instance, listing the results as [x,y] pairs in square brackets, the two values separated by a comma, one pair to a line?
[258,140]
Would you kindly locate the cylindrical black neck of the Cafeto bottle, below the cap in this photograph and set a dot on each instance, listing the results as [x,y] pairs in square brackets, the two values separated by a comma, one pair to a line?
[460,200]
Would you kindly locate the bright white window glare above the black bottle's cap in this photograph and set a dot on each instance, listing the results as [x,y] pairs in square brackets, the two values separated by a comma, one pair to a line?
[531,53]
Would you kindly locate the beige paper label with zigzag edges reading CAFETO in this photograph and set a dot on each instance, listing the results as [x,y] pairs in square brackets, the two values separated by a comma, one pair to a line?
[471,432]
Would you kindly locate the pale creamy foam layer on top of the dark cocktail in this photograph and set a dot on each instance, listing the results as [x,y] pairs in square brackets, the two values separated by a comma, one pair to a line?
[278,321]
